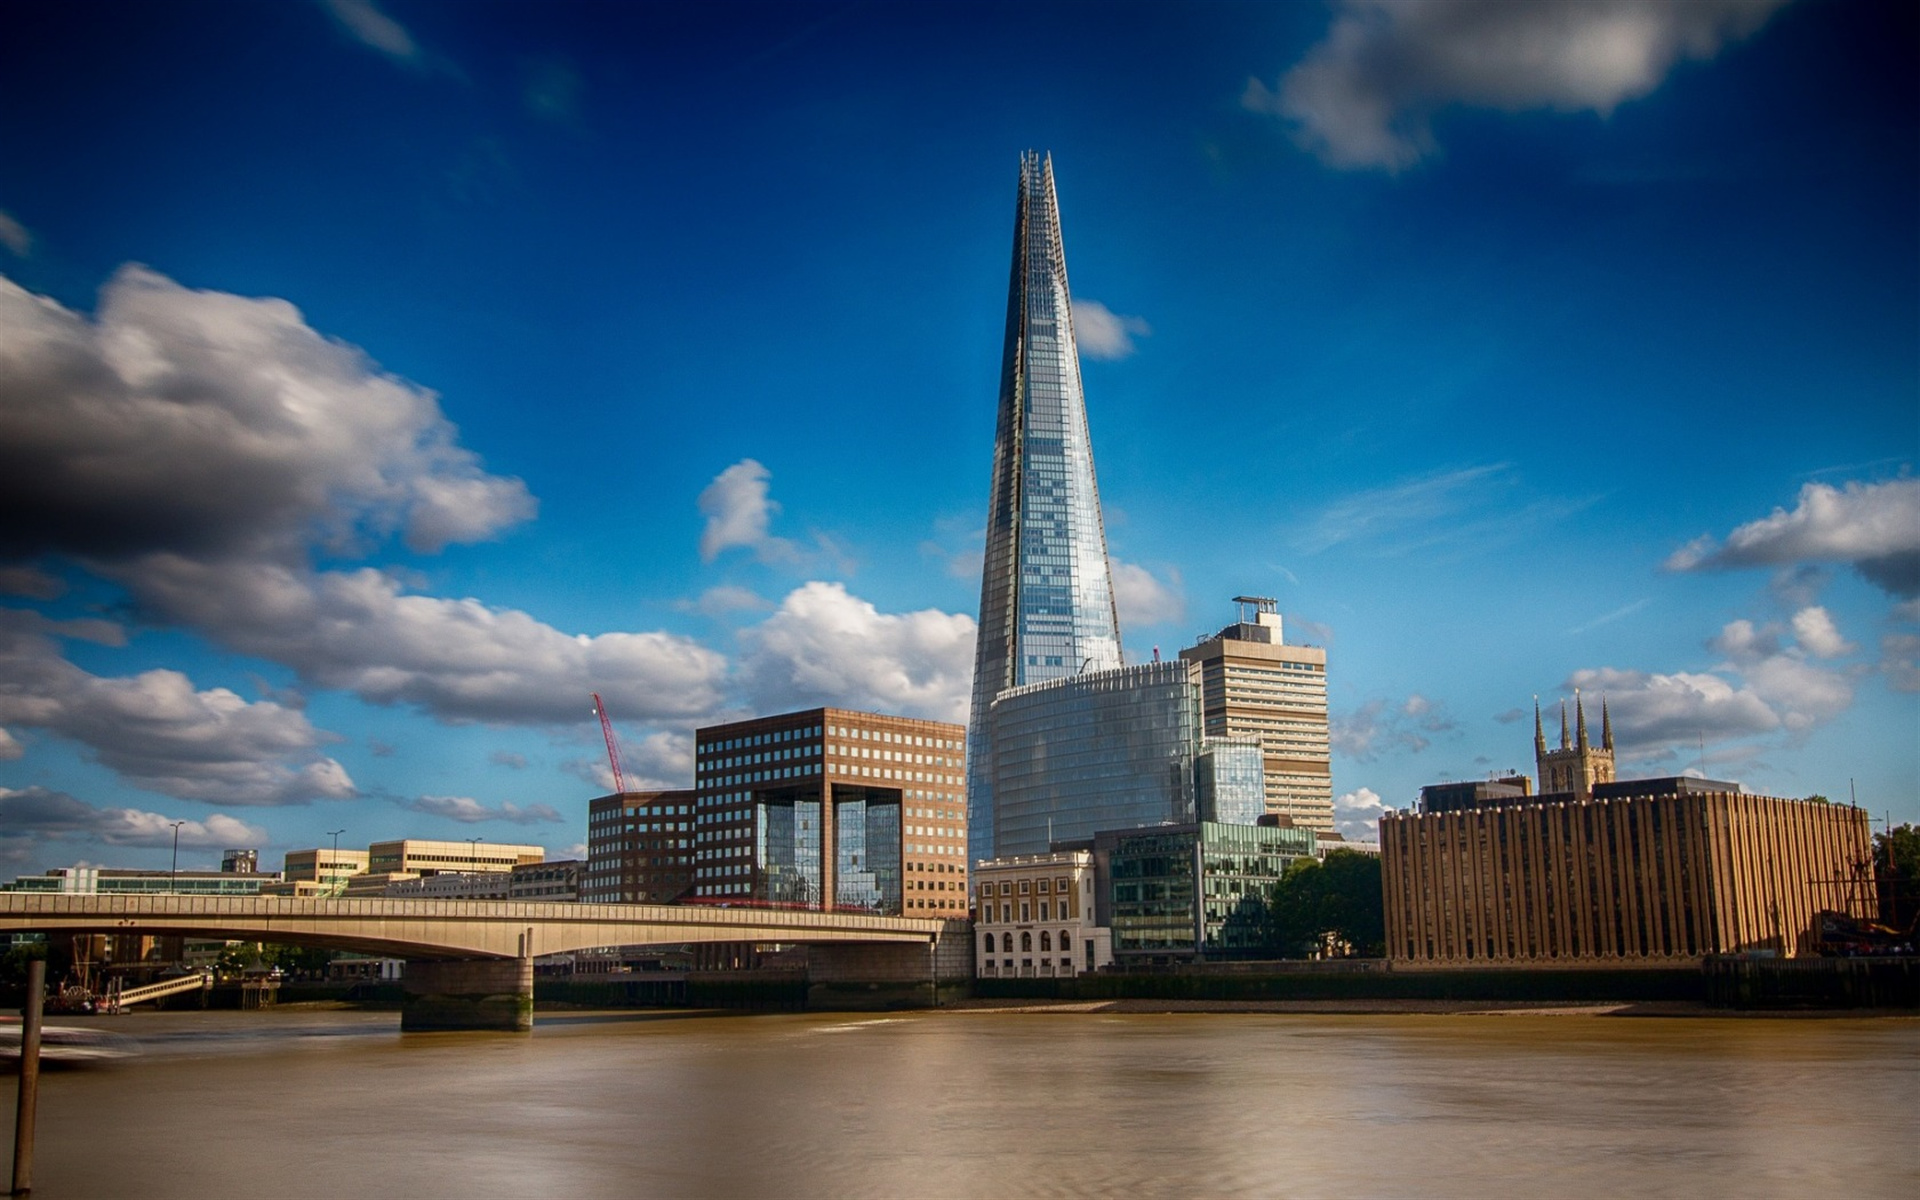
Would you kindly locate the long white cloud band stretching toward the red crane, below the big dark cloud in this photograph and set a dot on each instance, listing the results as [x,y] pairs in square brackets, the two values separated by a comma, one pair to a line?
[456,660]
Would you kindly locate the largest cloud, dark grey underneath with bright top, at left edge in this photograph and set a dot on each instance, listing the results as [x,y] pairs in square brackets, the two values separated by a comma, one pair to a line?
[218,425]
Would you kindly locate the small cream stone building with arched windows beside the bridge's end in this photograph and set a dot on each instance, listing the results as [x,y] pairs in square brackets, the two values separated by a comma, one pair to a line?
[1034,917]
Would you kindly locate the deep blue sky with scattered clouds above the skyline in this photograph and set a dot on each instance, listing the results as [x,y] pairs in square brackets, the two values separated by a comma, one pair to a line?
[381,379]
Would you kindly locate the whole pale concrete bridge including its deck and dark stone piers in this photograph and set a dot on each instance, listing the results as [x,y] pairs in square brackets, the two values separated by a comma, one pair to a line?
[471,963]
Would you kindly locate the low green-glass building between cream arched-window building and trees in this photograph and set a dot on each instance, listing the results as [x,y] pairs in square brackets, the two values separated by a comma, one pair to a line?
[1193,892]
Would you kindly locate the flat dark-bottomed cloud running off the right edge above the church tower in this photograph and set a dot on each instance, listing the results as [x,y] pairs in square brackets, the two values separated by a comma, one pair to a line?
[1873,527]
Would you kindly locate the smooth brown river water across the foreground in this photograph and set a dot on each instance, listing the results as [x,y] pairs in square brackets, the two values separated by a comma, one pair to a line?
[988,1105]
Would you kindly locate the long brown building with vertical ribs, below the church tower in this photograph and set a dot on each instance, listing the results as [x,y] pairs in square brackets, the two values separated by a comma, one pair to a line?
[1646,873]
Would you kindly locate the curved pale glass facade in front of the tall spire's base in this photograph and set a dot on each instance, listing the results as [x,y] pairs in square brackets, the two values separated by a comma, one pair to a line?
[1107,750]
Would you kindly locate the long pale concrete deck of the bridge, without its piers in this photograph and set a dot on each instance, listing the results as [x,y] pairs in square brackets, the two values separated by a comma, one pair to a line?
[448,928]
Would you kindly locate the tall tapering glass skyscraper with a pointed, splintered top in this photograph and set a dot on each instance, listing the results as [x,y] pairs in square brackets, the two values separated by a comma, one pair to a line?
[1045,594]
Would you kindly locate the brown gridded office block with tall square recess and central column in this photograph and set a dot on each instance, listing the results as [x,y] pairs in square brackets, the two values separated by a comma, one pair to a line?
[828,807]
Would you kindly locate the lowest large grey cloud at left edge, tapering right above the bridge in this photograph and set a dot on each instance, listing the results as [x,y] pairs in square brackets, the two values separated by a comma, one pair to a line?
[158,731]
